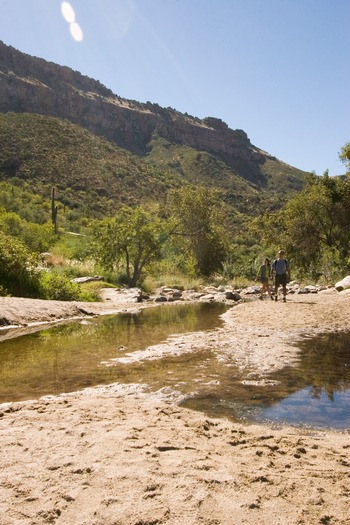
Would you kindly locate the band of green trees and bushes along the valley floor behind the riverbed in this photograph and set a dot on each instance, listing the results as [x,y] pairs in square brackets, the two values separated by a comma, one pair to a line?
[191,234]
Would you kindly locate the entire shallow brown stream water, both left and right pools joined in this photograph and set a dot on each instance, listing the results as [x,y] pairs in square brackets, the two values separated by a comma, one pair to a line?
[73,356]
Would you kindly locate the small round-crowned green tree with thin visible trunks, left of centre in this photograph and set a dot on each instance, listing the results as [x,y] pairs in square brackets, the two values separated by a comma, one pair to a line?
[134,238]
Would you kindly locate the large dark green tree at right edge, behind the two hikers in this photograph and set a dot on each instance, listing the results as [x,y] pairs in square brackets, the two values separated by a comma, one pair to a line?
[314,226]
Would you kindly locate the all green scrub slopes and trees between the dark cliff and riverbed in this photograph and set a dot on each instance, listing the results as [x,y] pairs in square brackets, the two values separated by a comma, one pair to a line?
[176,211]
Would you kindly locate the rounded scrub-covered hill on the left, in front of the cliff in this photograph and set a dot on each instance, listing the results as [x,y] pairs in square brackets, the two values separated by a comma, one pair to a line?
[90,173]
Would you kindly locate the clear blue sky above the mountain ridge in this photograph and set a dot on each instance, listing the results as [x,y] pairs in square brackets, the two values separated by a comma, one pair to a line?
[278,69]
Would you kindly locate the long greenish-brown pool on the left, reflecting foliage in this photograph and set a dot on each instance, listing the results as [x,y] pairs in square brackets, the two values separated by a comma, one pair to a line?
[65,358]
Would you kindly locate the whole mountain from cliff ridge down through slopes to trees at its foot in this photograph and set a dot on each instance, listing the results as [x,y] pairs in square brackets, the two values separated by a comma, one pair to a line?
[145,195]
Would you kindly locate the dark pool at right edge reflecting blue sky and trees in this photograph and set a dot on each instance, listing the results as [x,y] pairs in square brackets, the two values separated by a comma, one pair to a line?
[316,392]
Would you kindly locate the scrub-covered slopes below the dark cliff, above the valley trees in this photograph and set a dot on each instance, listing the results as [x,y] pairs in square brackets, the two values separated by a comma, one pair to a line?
[94,176]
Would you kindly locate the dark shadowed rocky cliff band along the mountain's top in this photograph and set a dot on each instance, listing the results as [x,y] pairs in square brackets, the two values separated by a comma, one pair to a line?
[30,84]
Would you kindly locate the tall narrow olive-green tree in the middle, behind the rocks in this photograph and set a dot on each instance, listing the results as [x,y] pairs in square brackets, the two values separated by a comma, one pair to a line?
[199,224]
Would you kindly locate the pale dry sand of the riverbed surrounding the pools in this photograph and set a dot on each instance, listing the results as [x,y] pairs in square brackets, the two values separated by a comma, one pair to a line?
[121,454]
